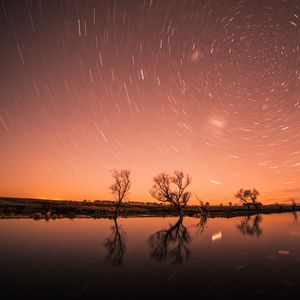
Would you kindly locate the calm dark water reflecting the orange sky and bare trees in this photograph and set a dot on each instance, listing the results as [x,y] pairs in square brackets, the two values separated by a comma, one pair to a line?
[150,257]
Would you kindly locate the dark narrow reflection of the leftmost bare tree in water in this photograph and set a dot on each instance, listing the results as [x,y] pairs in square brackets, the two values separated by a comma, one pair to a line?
[115,245]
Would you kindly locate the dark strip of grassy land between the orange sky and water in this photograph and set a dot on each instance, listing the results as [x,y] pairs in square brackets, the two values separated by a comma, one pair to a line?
[52,209]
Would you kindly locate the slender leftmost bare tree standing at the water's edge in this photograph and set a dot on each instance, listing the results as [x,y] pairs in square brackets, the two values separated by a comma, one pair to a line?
[120,187]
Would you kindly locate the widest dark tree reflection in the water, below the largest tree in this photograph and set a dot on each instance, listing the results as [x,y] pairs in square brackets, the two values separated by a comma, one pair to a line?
[172,243]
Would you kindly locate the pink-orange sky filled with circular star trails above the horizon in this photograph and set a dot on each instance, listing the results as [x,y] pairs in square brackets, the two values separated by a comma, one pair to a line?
[208,87]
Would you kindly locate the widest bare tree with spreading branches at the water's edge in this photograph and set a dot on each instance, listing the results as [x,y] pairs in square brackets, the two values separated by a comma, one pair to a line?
[171,189]
